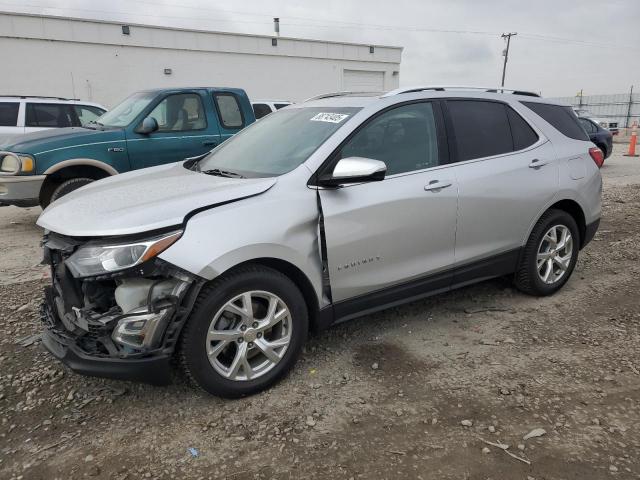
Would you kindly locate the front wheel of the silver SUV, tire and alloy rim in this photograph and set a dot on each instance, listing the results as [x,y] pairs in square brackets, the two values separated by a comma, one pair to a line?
[245,332]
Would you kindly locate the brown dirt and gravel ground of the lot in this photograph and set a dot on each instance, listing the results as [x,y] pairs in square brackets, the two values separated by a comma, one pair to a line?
[430,390]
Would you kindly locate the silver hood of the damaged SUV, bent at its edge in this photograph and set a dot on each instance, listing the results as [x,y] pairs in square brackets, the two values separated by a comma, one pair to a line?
[143,200]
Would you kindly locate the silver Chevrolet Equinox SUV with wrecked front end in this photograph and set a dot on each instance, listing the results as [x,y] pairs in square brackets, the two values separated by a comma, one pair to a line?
[327,210]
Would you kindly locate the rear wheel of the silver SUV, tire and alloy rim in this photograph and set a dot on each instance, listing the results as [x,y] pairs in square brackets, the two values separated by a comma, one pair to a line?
[550,255]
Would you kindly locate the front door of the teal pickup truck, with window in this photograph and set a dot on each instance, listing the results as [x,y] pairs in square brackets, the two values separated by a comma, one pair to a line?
[183,131]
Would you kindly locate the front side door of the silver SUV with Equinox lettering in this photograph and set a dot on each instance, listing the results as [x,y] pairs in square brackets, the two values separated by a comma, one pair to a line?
[400,231]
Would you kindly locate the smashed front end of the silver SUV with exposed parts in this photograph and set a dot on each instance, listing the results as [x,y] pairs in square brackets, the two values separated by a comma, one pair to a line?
[114,309]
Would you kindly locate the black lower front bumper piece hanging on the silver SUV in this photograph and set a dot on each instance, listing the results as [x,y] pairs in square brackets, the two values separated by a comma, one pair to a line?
[155,370]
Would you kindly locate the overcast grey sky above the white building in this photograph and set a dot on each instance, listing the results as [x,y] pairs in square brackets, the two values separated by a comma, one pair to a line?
[561,46]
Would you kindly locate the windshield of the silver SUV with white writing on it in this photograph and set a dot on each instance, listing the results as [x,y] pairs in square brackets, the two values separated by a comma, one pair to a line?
[278,143]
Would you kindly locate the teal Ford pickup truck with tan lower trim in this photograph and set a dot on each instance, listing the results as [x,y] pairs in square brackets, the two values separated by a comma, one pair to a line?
[148,128]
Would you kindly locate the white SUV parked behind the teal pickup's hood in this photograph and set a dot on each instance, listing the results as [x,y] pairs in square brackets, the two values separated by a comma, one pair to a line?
[22,114]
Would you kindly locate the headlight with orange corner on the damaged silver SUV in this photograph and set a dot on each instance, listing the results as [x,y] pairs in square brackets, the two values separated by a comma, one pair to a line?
[100,258]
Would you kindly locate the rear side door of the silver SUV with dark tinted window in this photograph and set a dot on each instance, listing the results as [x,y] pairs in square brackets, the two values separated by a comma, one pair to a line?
[506,173]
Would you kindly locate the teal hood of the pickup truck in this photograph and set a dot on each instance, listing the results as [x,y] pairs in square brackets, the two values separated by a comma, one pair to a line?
[54,138]
